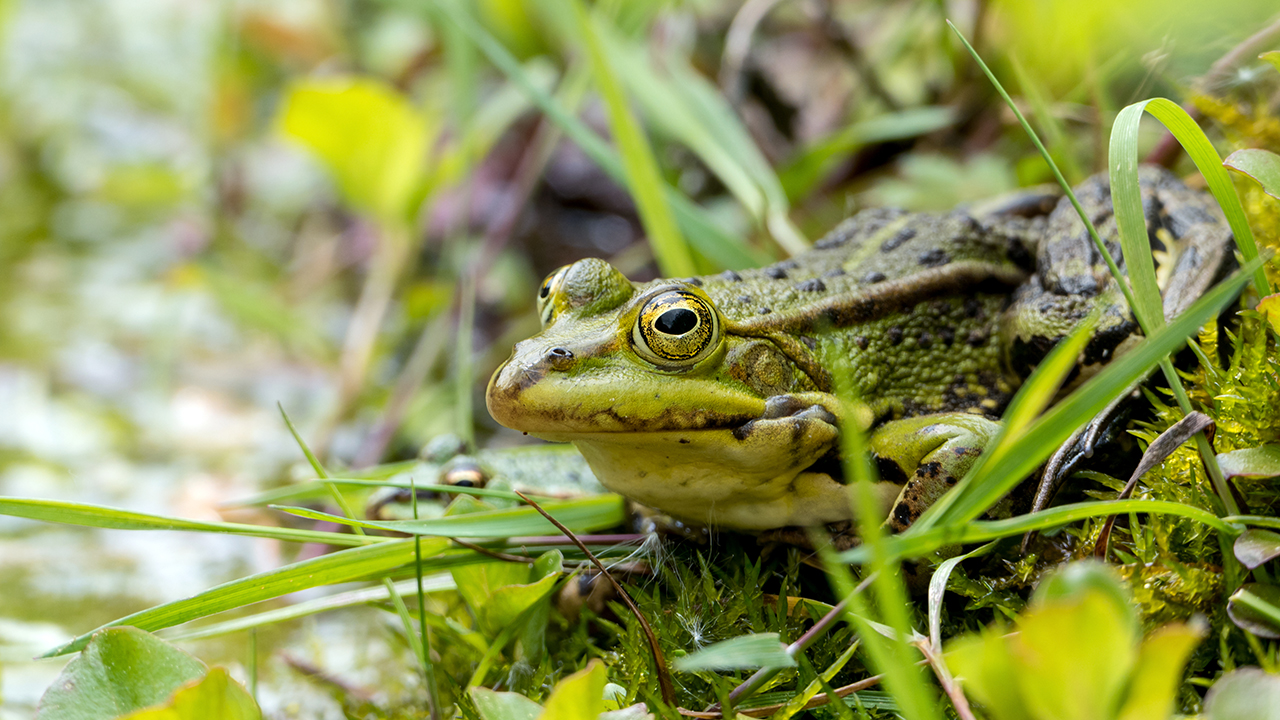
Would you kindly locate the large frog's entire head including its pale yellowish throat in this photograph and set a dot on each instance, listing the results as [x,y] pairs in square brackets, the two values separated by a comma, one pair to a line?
[669,402]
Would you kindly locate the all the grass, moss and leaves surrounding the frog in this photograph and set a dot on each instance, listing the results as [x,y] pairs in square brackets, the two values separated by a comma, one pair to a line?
[359,188]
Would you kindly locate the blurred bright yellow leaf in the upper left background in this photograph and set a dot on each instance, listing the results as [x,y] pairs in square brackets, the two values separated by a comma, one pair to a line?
[368,135]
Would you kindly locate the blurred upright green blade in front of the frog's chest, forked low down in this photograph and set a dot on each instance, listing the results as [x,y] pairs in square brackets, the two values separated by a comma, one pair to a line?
[893,657]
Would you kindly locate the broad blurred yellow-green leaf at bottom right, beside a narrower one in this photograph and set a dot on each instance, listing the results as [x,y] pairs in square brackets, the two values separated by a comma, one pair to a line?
[1075,658]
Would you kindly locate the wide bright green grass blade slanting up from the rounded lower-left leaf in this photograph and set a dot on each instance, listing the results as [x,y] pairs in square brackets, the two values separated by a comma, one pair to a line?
[342,567]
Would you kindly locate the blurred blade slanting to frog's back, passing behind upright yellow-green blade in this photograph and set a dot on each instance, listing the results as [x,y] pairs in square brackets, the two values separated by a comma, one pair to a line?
[705,234]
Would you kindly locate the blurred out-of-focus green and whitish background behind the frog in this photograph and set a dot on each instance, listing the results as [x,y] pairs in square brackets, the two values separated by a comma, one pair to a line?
[344,207]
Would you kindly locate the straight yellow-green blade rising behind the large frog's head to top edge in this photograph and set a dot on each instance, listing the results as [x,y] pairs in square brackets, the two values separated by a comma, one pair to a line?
[643,176]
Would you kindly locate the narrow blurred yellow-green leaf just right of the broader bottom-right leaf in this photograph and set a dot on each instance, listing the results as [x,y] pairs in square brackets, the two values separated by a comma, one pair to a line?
[1154,682]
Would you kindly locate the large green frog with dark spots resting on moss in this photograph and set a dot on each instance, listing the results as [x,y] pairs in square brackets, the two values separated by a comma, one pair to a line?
[711,398]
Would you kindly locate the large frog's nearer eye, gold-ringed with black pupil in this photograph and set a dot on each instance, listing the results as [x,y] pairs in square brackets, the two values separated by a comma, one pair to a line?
[676,329]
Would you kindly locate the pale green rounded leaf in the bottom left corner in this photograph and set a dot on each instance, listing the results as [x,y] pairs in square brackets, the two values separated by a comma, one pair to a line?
[121,671]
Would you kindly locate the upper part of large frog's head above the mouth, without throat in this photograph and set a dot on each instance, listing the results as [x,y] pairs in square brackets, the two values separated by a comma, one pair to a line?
[616,357]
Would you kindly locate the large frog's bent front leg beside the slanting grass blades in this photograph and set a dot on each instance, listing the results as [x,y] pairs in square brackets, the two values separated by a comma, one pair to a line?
[927,455]
